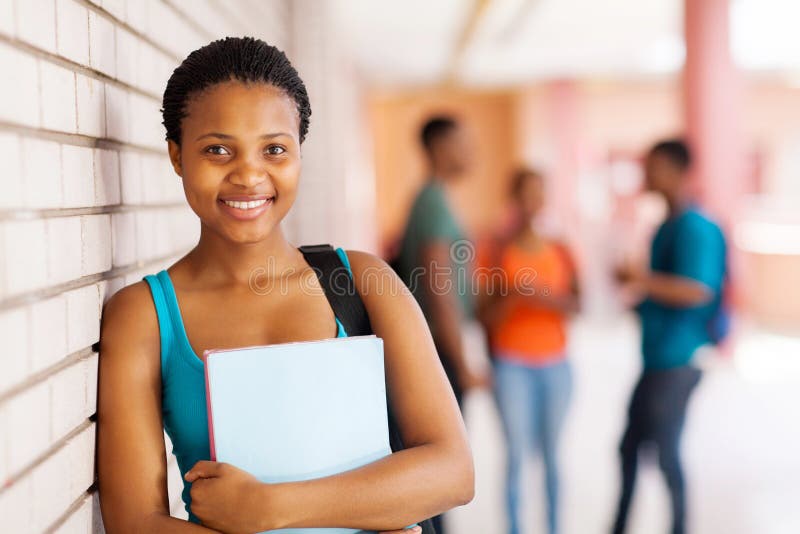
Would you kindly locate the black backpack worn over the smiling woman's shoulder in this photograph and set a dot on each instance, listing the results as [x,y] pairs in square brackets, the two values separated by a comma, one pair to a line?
[341,293]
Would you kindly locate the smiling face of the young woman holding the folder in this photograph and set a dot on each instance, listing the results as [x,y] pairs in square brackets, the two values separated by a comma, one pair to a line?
[239,158]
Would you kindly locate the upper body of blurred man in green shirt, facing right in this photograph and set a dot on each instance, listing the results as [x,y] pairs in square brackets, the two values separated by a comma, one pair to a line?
[435,256]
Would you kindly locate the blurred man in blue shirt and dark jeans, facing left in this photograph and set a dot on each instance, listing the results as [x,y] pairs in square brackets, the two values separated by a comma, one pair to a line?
[681,297]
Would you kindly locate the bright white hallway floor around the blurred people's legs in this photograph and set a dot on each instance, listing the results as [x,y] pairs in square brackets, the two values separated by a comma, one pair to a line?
[740,445]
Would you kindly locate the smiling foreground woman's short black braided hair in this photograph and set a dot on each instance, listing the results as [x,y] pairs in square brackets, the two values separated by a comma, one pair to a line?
[245,59]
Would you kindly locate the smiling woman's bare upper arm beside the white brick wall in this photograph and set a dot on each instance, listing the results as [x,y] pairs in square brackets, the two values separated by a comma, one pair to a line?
[131,458]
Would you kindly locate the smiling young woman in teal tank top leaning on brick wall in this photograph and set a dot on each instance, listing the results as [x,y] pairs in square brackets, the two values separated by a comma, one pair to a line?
[236,113]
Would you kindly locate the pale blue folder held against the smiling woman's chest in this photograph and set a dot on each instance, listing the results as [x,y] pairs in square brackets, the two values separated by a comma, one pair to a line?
[298,411]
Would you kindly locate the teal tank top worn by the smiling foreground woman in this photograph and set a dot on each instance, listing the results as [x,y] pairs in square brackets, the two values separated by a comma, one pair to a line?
[183,391]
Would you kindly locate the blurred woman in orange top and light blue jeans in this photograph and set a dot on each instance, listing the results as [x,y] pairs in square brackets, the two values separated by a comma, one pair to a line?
[525,310]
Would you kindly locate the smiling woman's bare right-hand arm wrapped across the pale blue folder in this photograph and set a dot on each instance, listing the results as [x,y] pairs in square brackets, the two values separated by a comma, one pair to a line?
[433,474]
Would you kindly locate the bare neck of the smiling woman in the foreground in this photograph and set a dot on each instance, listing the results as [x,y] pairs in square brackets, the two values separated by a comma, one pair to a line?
[220,261]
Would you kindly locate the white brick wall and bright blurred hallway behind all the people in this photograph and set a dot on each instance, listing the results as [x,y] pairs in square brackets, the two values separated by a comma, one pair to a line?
[577,89]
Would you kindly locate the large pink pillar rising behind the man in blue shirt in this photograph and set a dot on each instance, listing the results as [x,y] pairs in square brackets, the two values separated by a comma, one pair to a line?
[713,102]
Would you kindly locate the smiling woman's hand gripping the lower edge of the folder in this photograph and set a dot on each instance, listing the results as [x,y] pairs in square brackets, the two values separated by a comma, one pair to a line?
[227,499]
